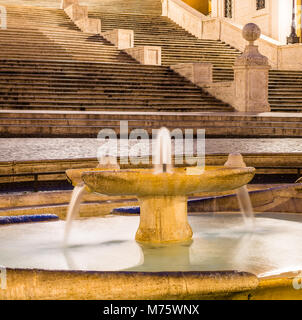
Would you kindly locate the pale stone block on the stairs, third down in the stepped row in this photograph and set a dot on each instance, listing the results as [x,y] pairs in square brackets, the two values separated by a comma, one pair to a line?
[121,38]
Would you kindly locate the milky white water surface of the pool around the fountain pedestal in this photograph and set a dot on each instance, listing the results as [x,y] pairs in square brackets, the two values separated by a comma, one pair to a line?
[220,242]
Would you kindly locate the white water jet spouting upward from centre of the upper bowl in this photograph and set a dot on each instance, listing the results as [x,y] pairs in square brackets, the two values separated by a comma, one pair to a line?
[162,154]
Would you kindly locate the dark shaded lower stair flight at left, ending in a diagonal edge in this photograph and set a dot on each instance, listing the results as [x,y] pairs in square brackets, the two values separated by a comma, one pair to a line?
[70,85]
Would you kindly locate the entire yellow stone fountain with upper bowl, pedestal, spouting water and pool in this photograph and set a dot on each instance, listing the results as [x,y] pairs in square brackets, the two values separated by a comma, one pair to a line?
[152,255]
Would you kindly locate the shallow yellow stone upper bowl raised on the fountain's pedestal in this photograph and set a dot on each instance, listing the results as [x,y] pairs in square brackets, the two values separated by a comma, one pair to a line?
[143,182]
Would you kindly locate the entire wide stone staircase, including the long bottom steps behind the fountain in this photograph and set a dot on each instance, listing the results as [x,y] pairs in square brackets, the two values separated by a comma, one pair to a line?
[51,72]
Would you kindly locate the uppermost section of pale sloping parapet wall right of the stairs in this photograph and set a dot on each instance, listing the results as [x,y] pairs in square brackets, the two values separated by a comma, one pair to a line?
[184,15]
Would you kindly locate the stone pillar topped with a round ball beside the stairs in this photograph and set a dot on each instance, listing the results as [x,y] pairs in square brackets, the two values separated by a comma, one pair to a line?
[251,72]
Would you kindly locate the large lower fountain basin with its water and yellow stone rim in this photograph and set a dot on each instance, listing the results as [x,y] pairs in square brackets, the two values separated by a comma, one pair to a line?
[110,265]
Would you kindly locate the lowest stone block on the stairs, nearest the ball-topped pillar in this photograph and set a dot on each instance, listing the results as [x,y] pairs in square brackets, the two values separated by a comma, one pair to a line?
[199,73]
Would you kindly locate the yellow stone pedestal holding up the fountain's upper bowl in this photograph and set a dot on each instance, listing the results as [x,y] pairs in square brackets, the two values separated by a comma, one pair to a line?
[163,219]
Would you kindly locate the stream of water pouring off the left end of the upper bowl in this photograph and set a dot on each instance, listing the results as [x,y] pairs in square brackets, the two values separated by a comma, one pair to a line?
[73,210]
